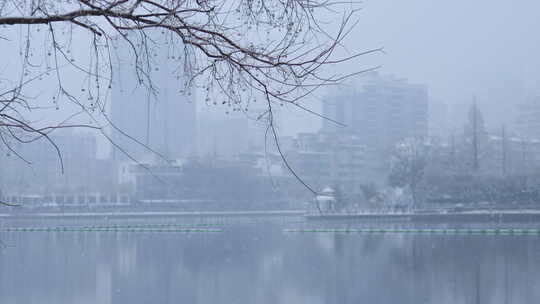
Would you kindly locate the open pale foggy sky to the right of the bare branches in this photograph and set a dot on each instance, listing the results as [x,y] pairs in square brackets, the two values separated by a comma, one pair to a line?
[458,48]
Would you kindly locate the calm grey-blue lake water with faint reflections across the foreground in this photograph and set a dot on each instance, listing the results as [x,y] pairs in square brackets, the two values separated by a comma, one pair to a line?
[260,262]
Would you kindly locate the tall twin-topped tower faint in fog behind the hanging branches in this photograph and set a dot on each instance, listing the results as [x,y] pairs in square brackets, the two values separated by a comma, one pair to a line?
[162,119]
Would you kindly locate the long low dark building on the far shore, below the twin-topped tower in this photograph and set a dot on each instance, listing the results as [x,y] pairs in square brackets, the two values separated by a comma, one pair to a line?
[242,181]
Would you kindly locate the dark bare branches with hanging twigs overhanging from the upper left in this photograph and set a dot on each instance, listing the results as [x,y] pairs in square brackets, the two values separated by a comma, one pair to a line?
[238,51]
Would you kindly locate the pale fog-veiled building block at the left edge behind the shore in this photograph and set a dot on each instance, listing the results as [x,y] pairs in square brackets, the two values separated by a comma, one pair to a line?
[37,167]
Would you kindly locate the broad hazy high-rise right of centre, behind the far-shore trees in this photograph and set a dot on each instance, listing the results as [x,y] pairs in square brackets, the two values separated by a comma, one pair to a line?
[380,110]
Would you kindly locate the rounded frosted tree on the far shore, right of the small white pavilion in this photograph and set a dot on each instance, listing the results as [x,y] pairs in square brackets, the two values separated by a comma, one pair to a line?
[408,165]
